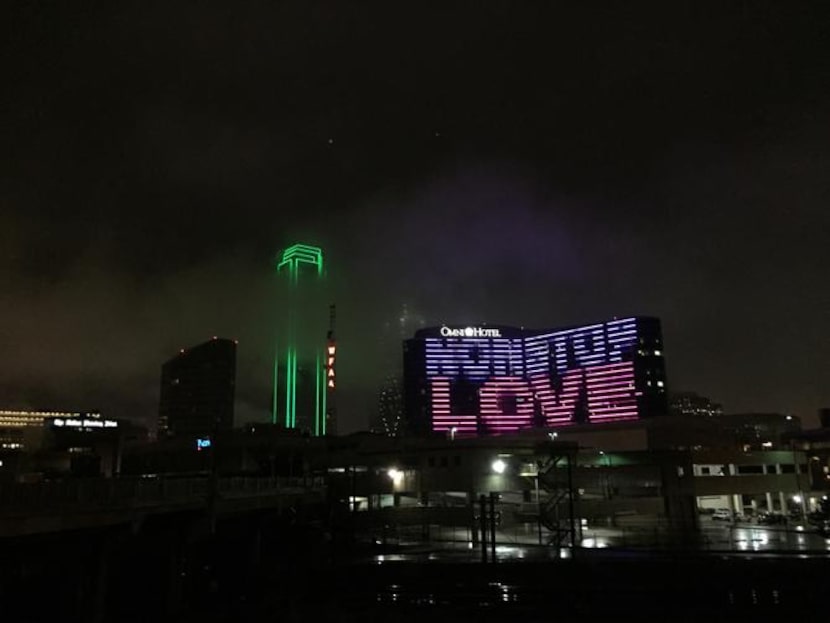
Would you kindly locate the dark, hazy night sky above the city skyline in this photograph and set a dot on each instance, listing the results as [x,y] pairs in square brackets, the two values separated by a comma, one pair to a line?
[505,162]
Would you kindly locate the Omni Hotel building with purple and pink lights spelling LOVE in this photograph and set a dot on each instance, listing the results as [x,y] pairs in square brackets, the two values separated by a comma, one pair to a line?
[492,380]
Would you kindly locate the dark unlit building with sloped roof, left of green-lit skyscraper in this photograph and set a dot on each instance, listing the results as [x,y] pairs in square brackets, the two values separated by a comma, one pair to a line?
[197,390]
